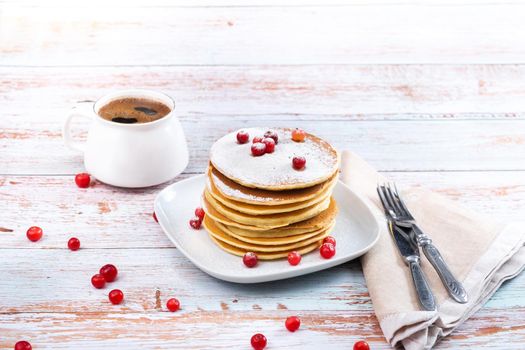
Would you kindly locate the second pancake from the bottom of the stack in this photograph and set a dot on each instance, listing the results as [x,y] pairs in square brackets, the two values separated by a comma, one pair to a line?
[218,234]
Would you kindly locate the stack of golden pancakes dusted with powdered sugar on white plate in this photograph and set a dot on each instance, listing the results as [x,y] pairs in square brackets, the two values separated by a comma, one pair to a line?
[262,204]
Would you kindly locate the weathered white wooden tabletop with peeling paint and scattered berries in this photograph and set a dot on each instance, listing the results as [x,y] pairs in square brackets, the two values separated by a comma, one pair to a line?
[431,94]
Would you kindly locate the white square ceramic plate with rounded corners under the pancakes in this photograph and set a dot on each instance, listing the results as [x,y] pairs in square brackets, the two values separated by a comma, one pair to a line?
[356,231]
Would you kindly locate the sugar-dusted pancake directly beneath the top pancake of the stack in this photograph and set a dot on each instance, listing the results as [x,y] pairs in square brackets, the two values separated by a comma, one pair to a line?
[234,191]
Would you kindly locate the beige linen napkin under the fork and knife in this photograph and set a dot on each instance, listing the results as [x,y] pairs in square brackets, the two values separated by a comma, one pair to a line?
[482,253]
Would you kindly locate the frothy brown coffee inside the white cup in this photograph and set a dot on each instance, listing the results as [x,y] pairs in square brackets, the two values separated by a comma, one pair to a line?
[130,110]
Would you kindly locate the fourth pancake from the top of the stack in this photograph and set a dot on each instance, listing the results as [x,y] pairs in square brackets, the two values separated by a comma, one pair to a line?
[267,221]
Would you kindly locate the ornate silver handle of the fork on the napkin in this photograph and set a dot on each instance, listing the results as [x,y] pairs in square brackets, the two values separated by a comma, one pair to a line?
[454,287]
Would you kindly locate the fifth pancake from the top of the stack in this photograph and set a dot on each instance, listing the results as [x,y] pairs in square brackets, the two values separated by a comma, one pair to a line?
[317,222]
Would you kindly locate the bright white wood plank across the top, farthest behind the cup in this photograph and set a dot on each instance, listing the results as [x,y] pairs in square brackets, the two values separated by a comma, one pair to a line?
[411,33]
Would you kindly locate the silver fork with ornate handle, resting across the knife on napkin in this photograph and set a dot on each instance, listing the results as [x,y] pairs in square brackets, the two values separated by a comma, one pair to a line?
[398,211]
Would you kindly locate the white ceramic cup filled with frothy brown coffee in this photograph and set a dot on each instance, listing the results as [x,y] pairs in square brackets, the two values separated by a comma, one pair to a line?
[134,139]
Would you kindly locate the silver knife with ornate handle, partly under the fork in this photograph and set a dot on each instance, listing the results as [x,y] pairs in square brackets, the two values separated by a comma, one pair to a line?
[410,253]
